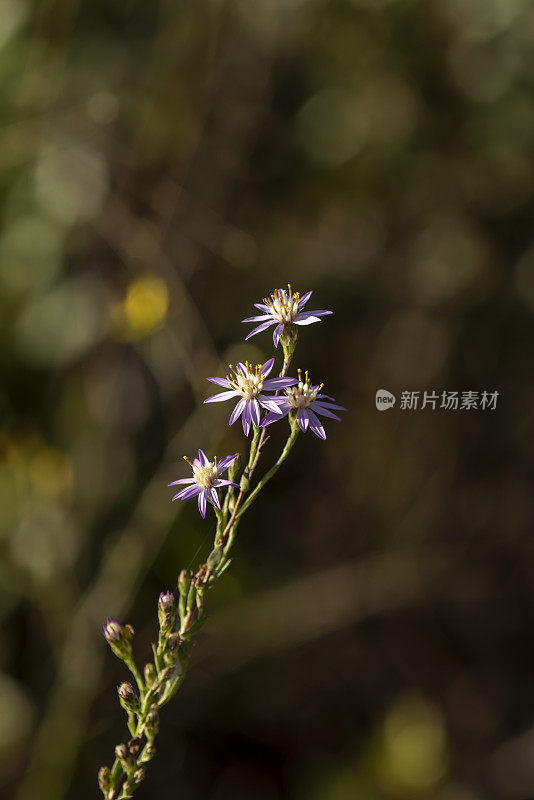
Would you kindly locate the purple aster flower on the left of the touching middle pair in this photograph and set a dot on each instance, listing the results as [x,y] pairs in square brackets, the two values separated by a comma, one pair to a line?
[248,384]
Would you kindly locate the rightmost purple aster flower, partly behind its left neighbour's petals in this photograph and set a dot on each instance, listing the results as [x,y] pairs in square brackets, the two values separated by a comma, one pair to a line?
[307,402]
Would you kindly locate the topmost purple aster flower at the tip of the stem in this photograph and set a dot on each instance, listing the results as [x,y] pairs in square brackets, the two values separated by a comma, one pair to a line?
[283,309]
